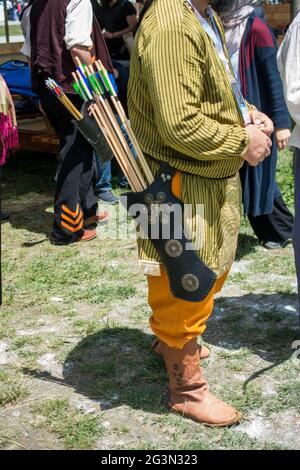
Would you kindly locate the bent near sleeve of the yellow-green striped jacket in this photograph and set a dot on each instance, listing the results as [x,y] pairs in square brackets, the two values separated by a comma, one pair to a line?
[173,69]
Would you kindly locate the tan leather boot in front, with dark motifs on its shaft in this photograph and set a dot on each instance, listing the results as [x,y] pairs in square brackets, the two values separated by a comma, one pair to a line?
[189,395]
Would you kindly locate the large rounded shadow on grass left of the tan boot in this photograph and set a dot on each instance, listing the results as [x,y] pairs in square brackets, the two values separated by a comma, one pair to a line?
[116,366]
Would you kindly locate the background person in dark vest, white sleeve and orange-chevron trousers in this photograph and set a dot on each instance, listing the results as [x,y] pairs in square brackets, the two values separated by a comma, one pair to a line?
[60,30]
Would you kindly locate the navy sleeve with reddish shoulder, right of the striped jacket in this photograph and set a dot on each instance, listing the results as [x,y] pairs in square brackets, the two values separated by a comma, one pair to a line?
[266,52]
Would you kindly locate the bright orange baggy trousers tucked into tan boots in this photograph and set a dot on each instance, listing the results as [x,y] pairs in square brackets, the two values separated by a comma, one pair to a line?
[175,321]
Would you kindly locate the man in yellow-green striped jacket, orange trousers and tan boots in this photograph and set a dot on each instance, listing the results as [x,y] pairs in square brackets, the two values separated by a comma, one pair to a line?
[185,110]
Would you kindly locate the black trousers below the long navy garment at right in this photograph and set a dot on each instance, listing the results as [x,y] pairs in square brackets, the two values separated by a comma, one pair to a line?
[275,227]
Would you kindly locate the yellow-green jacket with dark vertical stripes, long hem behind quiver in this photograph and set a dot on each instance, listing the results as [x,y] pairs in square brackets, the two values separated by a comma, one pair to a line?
[183,112]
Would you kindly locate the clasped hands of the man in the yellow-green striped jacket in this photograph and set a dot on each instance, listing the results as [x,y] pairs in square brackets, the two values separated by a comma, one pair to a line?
[259,146]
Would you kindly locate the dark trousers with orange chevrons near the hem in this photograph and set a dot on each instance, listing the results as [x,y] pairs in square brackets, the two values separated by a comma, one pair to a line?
[74,196]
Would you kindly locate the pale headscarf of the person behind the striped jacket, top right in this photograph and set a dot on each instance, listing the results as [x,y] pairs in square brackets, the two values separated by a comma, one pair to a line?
[235,21]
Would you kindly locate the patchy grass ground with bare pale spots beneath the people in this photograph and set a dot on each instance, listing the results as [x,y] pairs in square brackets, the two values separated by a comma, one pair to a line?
[76,369]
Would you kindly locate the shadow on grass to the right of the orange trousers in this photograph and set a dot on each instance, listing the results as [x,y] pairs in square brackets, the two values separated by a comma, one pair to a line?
[258,322]
